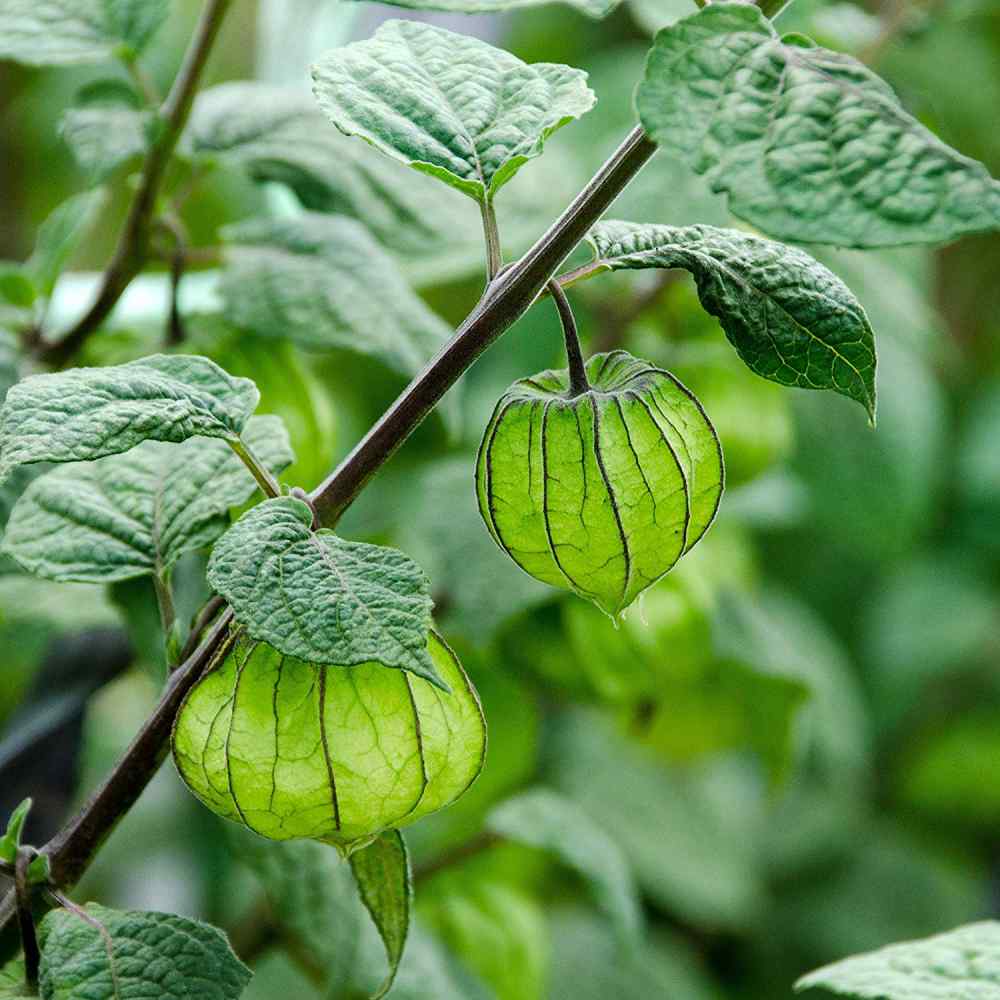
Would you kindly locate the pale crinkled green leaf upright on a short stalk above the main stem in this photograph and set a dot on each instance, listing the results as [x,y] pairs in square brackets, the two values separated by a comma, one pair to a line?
[447,104]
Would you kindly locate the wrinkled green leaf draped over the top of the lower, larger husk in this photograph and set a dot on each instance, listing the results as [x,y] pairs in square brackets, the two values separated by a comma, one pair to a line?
[319,597]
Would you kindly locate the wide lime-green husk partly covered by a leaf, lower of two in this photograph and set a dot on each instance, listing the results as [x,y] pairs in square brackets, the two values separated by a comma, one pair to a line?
[295,749]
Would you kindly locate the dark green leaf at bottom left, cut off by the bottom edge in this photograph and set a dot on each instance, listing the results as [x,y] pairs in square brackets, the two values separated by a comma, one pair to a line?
[123,954]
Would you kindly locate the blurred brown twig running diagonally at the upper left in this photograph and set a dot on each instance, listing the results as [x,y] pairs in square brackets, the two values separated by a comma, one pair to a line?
[132,252]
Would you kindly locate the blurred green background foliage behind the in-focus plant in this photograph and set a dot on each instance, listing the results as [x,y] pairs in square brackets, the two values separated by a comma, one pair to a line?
[792,740]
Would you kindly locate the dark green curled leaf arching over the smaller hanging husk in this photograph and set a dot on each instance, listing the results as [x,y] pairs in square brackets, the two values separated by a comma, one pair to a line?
[790,319]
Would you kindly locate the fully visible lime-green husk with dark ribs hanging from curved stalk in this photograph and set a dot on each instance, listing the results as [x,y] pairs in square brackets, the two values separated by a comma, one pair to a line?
[602,493]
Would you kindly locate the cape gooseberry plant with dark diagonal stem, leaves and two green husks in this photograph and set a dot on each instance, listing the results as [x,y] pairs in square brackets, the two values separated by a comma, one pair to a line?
[312,698]
